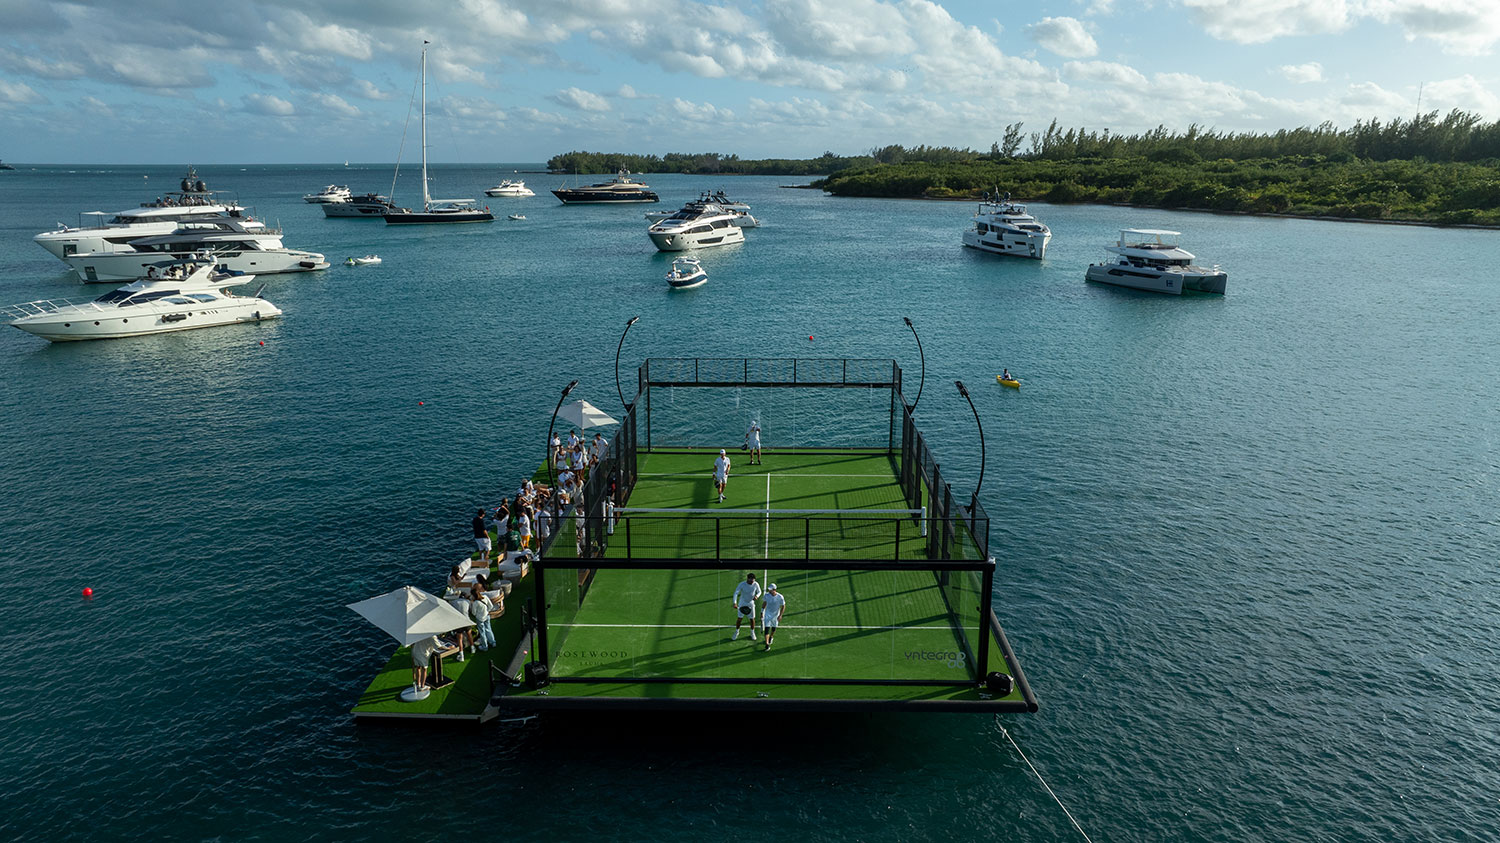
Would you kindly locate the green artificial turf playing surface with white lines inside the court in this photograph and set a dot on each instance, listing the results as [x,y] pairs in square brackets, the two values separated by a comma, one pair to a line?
[839,625]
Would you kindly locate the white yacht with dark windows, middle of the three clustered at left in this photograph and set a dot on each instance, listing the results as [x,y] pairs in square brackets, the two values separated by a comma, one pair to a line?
[229,244]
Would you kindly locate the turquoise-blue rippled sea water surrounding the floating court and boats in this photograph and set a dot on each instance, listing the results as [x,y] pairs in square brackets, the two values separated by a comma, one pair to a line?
[1247,544]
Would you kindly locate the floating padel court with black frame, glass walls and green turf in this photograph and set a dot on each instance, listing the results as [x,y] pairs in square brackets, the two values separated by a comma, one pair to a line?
[889,577]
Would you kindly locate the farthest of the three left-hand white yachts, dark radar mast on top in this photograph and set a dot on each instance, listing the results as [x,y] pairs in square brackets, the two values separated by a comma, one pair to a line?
[115,233]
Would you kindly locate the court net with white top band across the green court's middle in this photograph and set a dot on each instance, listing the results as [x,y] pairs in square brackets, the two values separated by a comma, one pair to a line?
[770,533]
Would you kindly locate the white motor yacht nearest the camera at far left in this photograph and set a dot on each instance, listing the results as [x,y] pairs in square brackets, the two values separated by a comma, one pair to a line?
[175,296]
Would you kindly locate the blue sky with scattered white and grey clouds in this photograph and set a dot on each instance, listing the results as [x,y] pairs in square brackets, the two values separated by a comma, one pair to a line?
[272,82]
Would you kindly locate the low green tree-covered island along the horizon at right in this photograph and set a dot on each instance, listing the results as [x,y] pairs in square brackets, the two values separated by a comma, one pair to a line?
[1426,170]
